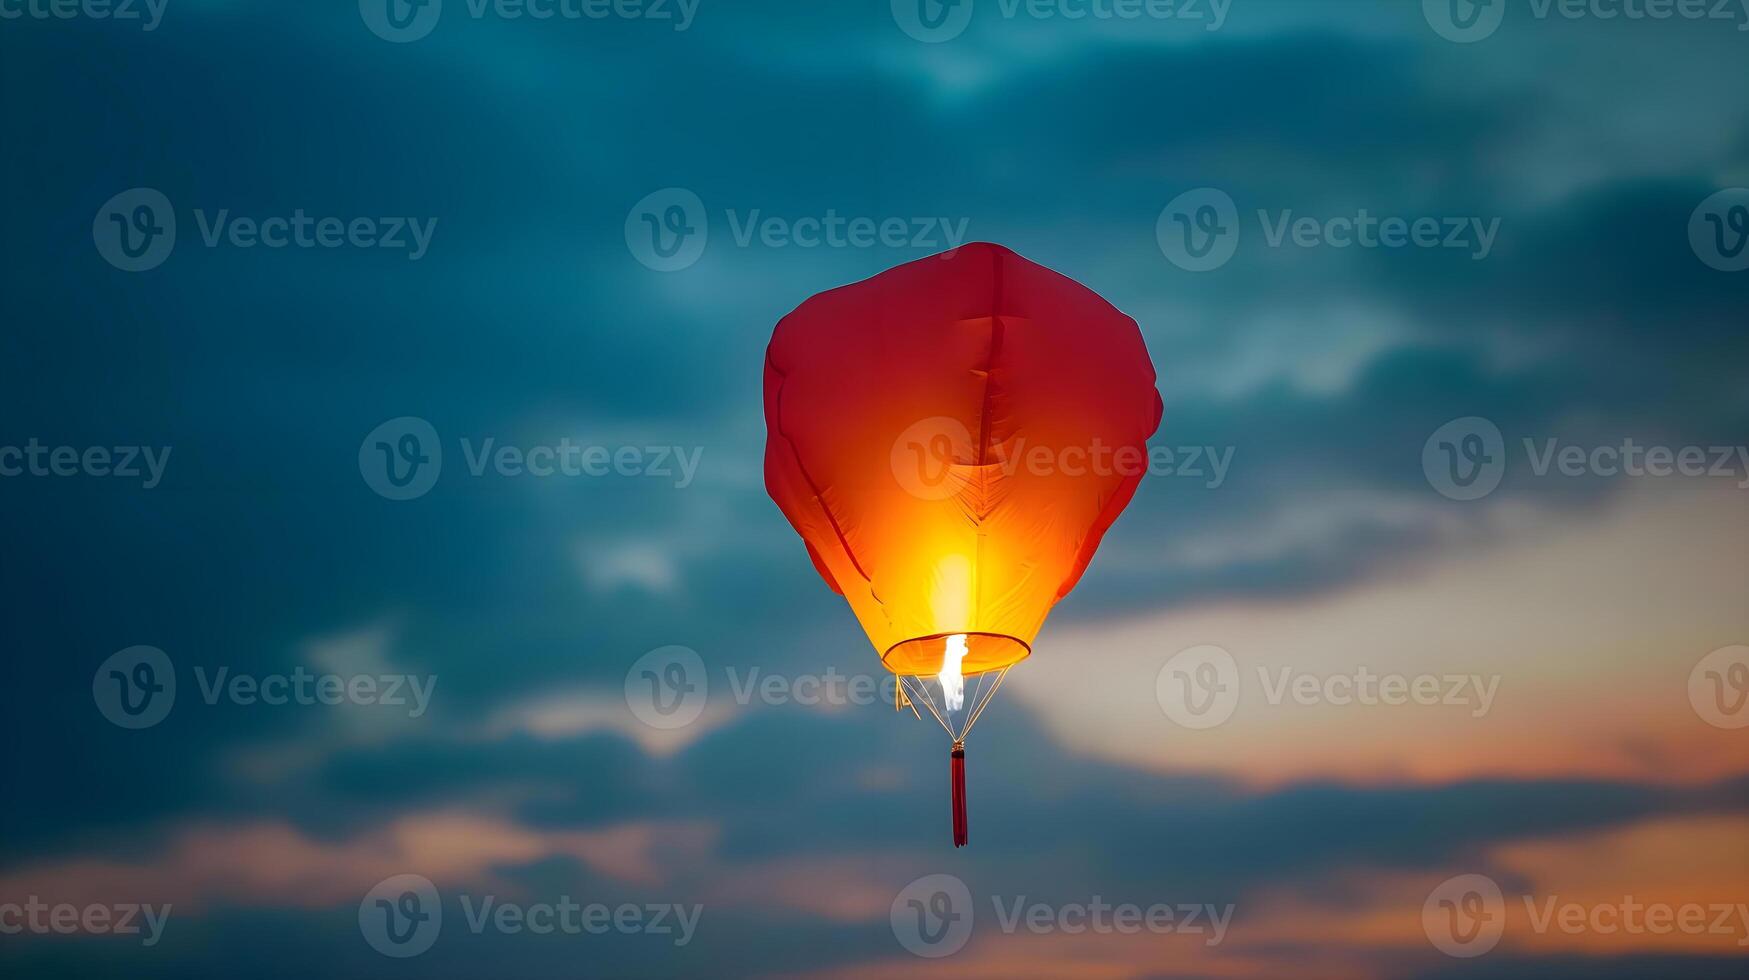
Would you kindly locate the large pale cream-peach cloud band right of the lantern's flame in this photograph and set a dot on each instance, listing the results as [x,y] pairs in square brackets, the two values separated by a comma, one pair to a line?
[1591,627]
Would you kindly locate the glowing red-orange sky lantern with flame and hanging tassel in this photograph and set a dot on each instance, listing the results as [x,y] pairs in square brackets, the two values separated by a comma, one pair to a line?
[952,438]
